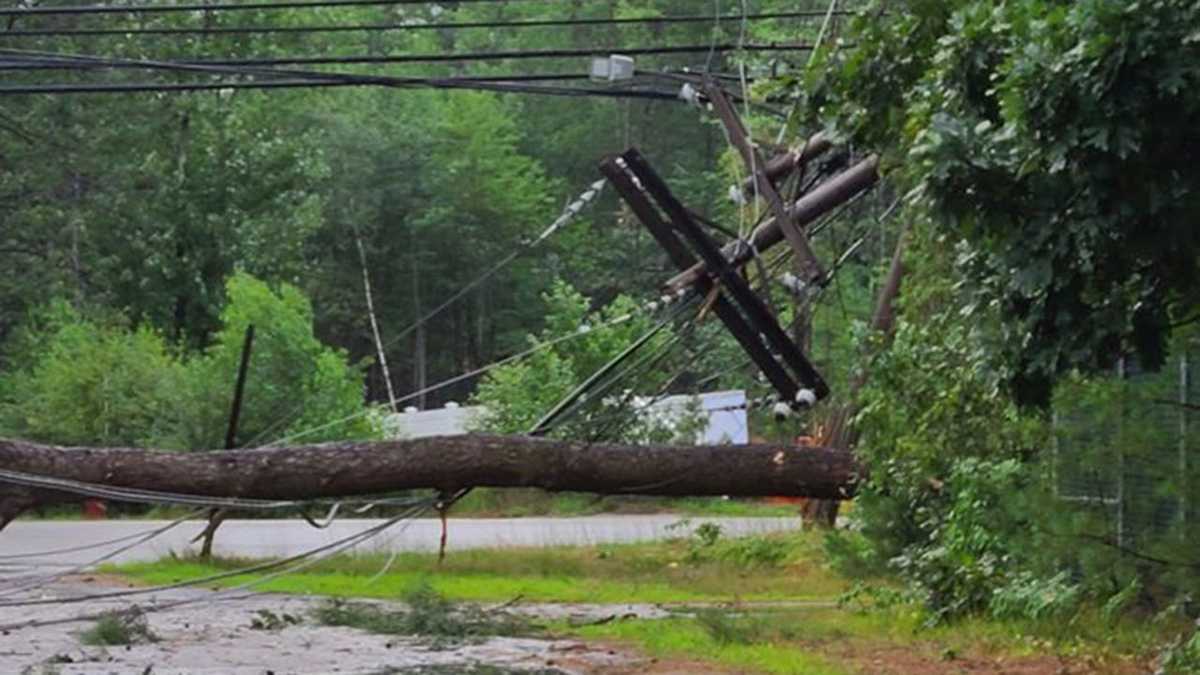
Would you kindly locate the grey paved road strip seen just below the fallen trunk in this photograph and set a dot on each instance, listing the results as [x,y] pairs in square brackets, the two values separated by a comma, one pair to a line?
[278,539]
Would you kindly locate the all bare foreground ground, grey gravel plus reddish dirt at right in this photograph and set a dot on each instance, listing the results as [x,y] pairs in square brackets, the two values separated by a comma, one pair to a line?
[217,635]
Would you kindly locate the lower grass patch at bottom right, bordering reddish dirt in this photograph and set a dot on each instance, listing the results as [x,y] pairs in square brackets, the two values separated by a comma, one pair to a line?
[825,641]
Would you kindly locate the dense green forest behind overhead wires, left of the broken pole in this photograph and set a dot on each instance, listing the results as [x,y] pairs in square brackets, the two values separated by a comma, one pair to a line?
[146,204]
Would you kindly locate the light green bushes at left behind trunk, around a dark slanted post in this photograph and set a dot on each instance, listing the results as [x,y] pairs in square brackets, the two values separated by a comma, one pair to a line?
[92,383]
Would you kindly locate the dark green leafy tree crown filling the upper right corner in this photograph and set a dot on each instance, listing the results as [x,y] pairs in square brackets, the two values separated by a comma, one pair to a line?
[1048,138]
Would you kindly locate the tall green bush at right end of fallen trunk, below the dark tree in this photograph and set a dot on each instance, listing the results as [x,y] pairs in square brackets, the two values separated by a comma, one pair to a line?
[950,491]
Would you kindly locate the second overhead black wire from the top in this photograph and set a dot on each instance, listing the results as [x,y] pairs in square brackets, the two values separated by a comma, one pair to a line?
[375,28]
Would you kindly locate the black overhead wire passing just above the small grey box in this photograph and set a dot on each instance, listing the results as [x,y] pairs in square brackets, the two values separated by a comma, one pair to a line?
[51,63]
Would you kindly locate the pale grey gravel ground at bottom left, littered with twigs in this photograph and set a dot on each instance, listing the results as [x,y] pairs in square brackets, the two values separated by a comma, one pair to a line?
[219,638]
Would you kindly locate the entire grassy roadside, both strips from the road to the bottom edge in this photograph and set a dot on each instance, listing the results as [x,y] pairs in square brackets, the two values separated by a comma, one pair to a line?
[770,606]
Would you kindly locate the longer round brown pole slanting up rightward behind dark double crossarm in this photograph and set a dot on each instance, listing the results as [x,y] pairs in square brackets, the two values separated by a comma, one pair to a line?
[811,207]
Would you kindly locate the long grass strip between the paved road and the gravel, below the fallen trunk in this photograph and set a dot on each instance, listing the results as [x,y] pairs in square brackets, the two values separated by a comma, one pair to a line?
[651,574]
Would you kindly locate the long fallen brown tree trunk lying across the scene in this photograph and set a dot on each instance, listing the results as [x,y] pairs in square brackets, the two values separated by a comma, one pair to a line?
[446,463]
